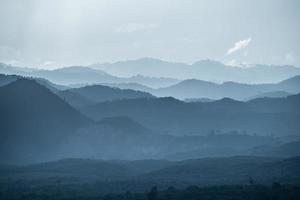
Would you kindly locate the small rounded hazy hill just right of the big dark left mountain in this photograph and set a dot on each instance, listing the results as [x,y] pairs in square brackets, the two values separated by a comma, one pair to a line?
[119,138]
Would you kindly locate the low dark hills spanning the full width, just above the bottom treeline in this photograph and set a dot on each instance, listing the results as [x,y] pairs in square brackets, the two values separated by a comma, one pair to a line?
[207,171]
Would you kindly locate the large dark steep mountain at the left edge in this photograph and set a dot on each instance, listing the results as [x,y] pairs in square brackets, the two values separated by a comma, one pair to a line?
[34,121]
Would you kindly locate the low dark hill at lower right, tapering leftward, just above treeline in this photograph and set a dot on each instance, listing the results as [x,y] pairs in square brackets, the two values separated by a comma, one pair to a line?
[232,170]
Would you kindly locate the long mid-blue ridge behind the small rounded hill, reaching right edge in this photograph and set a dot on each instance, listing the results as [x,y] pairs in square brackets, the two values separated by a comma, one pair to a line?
[264,116]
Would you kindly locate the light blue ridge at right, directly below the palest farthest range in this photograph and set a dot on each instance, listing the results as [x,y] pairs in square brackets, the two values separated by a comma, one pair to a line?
[193,88]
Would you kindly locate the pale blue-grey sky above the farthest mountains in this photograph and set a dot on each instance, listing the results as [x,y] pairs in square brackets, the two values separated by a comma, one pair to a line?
[53,33]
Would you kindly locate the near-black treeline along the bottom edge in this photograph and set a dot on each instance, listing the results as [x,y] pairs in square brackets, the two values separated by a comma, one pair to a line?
[238,192]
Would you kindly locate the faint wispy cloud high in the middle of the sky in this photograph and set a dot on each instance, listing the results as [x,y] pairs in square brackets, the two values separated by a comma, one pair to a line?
[134,27]
